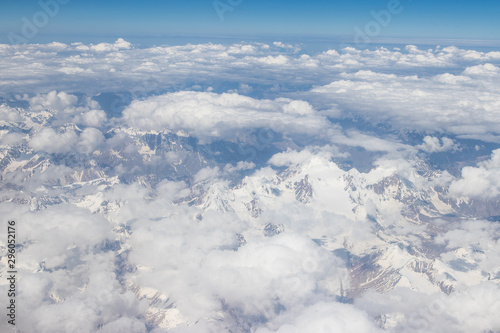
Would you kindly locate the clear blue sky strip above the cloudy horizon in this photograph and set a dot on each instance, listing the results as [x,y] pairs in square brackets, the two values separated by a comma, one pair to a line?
[98,19]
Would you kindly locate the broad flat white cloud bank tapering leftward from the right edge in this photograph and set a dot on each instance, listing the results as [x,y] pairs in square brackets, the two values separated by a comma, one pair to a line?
[467,108]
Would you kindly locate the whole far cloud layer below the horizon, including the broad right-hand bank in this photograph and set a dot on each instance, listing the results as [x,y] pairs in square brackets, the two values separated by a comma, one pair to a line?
[448,89]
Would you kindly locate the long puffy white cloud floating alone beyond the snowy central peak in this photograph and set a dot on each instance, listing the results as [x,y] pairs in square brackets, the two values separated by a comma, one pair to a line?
[209,115]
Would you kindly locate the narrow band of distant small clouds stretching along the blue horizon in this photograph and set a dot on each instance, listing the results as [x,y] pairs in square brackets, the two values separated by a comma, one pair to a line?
[119,66]
